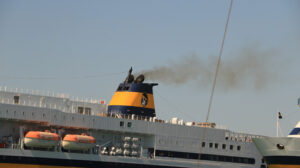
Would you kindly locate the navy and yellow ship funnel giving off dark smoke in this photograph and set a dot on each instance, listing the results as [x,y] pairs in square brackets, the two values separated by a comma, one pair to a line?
[133,97]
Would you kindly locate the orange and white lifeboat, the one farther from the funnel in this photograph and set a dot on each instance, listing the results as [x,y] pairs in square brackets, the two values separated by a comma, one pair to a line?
[41,139]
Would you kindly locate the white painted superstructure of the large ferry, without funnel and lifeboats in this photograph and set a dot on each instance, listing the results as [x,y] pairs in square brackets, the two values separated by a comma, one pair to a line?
[61,114]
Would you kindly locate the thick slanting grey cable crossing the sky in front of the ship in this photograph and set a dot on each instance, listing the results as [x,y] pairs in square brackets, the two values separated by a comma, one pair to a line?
[215,80]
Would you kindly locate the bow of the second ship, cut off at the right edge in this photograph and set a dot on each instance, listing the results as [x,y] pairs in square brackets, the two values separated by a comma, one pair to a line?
[281,152]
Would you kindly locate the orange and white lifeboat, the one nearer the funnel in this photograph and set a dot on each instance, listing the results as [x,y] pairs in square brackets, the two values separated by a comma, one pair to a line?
[76,142]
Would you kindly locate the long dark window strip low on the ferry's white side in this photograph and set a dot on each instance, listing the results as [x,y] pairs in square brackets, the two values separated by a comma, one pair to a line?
[219,158]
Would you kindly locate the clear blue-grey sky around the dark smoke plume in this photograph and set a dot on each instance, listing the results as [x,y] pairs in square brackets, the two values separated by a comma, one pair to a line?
[85,48]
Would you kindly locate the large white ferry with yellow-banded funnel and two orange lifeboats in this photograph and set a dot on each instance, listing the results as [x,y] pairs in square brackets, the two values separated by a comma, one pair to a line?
[54,130]
